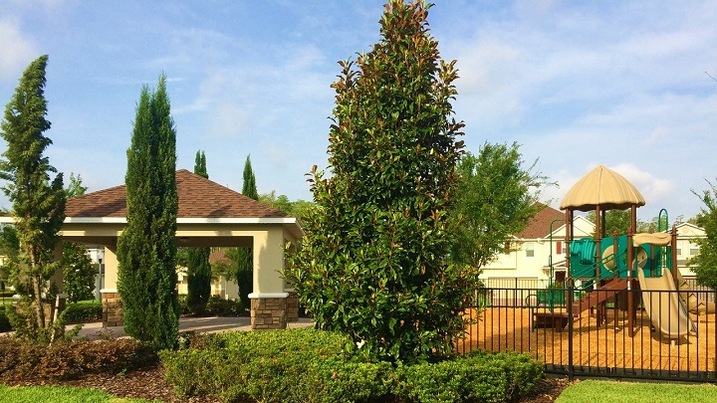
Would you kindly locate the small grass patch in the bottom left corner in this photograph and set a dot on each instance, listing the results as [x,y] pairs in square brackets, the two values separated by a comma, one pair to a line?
[35,394]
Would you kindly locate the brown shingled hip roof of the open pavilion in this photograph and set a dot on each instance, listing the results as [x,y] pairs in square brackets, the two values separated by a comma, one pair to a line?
[198,198]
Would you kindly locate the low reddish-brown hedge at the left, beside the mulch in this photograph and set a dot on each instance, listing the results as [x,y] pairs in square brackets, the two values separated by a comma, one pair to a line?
[20,359]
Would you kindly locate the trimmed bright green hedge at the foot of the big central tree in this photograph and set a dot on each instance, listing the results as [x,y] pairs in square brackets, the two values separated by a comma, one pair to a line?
[308,365]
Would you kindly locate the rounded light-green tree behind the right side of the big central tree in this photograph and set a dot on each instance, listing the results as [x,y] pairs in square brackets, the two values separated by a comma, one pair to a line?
[495,198]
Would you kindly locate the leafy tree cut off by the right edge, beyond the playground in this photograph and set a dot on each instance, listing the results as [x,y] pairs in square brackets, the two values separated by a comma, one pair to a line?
[705,263]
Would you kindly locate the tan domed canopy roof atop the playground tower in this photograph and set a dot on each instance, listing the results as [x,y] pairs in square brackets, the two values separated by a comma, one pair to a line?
[602,187]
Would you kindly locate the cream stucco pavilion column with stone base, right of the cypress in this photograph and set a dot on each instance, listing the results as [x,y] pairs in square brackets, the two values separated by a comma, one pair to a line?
[268,301]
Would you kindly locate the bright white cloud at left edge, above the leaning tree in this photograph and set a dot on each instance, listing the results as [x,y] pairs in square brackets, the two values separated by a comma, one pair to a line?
[17,50]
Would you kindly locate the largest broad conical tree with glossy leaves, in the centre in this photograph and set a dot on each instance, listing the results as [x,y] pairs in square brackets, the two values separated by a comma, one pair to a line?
[373,262]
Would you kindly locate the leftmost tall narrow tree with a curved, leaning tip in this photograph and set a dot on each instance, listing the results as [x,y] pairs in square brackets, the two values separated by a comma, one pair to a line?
[38,203]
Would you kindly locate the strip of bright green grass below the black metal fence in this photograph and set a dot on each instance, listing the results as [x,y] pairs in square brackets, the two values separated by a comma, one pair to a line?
[611,391]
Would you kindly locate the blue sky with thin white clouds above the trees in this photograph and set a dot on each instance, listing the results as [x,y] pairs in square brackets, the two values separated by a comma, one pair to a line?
[577,84]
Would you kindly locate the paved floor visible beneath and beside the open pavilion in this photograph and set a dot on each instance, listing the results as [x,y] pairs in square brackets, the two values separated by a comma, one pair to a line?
[200,325]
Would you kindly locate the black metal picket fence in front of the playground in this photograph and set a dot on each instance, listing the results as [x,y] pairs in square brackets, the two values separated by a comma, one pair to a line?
[672,335]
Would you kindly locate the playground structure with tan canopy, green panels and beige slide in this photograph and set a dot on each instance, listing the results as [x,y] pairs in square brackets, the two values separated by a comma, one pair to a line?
[620,268]
